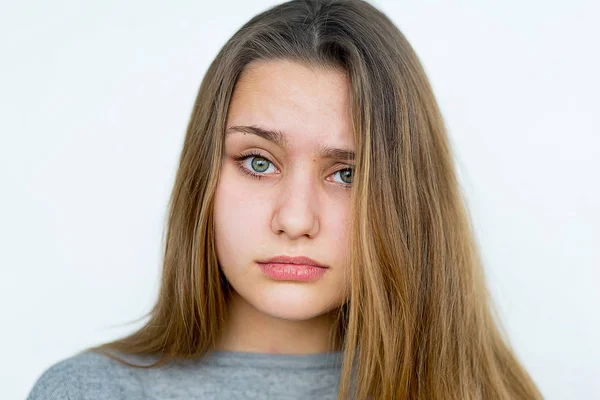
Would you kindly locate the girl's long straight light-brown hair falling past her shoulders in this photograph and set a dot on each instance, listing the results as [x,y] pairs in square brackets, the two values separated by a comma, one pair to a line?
[419,323]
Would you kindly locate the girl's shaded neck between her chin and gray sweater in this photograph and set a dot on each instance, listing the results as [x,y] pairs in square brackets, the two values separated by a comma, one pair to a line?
[249,330]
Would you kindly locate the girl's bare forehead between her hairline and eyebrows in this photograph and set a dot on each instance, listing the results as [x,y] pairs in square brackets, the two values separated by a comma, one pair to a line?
[309,104]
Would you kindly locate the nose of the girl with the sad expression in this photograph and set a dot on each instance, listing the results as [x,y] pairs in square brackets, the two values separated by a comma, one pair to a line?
[296,211]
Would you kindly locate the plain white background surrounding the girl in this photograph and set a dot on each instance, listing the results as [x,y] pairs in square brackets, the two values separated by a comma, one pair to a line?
[95,97]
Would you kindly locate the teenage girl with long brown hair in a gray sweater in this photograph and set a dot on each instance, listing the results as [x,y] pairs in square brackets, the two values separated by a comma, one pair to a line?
[318,244]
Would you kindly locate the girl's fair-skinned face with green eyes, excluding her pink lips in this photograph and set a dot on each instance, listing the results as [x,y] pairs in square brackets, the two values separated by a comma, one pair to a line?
[286,194]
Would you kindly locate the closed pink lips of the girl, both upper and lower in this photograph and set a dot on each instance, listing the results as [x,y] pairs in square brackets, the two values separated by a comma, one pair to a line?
[285,268]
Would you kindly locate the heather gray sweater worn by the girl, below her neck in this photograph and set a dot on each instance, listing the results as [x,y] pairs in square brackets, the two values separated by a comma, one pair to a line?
[219,375]
